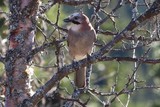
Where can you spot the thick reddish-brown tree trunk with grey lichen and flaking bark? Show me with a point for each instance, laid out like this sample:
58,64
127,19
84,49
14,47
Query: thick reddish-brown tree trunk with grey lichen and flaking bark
22,31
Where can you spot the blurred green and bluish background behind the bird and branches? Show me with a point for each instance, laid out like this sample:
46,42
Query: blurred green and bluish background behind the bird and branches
106,75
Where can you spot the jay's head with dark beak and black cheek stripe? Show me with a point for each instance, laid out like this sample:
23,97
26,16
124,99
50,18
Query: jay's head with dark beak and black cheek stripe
77,18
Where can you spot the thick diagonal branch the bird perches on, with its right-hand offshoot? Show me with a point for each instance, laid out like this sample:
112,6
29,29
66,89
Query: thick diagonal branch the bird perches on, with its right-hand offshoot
67,69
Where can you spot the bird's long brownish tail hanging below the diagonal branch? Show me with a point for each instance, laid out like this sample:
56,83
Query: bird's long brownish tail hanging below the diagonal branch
80,77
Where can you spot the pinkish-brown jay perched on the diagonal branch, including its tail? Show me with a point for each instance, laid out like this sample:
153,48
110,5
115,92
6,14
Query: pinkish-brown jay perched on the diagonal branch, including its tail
81,38
